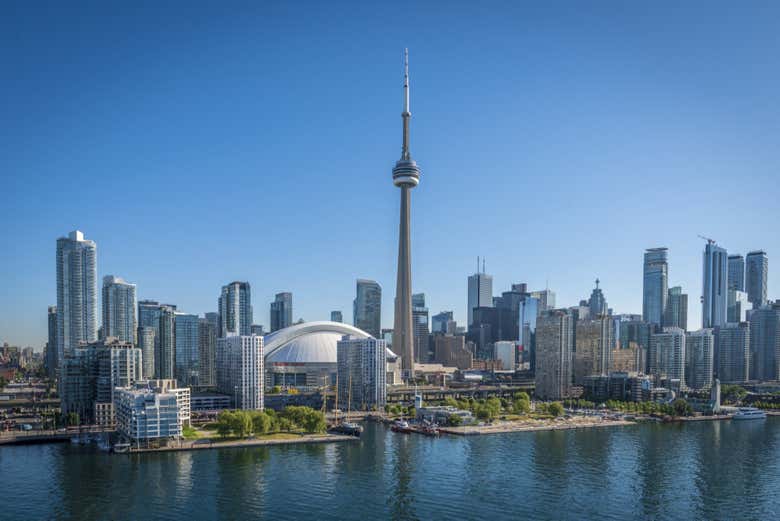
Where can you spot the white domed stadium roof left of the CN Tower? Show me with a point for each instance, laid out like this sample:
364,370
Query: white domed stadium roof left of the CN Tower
310,342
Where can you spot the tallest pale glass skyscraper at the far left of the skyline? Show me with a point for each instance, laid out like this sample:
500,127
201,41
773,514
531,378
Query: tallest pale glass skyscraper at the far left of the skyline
77,313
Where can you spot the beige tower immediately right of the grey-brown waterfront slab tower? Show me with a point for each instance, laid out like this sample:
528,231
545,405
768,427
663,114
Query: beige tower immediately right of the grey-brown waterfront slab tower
593,348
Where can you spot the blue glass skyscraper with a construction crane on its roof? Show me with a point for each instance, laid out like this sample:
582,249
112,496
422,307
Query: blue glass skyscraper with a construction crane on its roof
714,286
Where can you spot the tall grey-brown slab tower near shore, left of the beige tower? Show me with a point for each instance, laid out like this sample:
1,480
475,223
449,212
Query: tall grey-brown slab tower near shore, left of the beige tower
554,345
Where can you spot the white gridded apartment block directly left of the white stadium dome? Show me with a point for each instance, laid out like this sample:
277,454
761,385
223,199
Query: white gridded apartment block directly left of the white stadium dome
240,370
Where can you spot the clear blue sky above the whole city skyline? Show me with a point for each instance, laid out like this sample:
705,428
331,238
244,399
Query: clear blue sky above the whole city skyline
199,144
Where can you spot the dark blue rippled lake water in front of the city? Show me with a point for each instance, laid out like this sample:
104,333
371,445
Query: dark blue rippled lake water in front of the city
704,470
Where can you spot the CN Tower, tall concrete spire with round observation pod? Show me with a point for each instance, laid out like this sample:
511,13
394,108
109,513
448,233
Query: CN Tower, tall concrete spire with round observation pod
406,175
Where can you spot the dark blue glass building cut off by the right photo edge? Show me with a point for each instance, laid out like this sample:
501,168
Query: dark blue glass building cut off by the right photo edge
765,342
